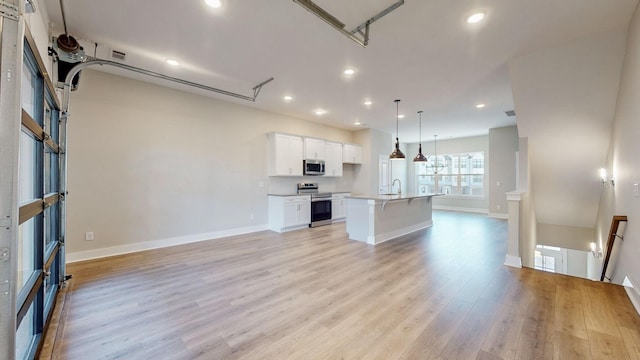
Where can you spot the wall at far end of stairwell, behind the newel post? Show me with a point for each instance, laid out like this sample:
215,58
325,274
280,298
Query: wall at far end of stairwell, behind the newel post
565,99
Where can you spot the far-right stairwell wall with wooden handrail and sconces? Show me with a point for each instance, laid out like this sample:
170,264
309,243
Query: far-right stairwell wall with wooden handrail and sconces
623,162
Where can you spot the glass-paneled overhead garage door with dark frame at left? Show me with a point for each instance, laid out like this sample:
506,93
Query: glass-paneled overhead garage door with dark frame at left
39,197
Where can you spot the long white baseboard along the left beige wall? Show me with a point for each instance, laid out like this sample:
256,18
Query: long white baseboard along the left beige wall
156,244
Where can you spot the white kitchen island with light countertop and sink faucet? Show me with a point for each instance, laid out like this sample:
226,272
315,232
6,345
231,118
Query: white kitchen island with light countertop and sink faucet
377,218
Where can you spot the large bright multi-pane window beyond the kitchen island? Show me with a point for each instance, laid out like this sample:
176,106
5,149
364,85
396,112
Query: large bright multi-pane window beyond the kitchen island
452,174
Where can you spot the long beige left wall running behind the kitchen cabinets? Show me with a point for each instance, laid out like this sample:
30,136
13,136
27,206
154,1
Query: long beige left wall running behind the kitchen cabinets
153,164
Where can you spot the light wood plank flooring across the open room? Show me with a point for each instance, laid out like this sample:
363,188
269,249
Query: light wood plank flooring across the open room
440,293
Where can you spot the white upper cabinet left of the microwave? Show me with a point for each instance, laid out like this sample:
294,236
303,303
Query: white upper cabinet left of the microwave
285,155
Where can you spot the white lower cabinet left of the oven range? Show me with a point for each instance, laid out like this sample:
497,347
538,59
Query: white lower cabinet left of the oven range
289,212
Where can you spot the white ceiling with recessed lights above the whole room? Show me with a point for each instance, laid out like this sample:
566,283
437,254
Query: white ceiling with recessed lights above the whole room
423,53
